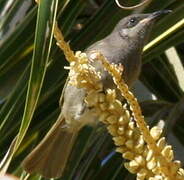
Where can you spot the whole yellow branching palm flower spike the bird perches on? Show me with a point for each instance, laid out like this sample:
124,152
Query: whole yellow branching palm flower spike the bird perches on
149,156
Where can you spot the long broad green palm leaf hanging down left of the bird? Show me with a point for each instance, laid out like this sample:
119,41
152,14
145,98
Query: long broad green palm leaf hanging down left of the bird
43,41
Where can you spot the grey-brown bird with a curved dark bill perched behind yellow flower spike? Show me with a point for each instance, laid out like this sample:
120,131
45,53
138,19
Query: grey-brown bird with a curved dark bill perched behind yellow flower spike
124,45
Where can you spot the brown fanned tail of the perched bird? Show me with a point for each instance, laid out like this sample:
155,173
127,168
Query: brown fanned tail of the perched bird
50,156
